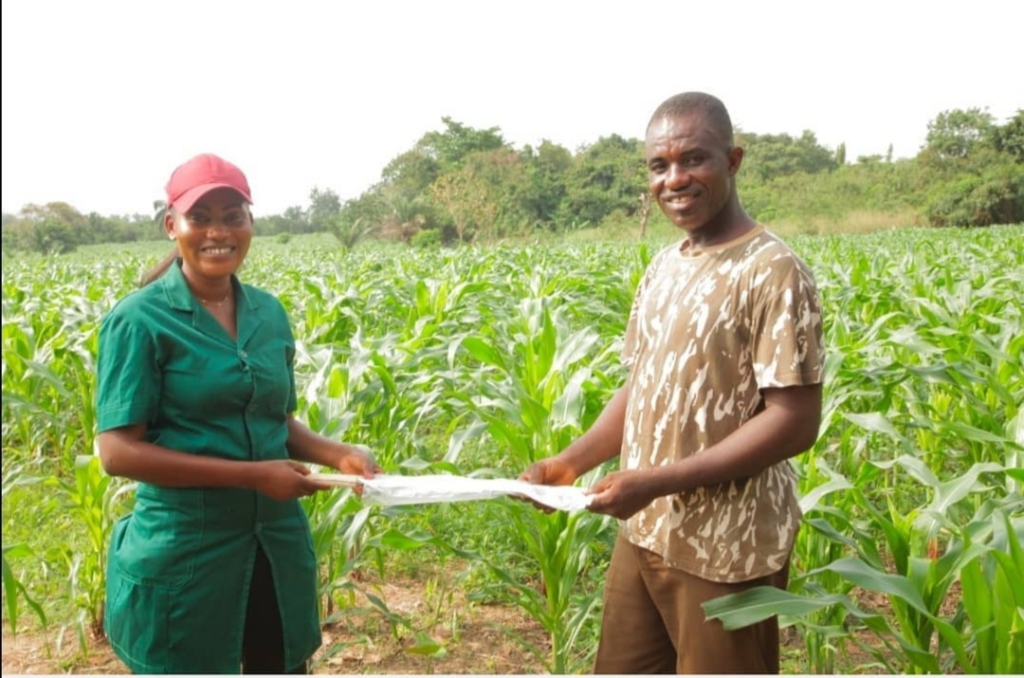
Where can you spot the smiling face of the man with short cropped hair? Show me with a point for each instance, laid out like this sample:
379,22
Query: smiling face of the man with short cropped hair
691,169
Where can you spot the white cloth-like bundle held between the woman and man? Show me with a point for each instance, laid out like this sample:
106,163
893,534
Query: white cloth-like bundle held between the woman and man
386,490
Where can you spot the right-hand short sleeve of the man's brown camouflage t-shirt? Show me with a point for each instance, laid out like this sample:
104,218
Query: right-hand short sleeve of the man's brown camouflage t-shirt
789,344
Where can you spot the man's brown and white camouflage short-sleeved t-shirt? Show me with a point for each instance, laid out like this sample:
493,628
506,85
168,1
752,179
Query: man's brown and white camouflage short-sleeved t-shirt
708,331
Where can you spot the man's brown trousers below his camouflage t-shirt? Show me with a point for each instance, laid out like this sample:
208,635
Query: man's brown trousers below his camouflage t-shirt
654,622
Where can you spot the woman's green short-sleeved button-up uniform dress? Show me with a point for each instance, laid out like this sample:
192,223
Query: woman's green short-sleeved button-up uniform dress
181,564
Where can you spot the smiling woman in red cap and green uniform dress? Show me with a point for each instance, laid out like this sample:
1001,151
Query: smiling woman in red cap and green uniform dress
215,570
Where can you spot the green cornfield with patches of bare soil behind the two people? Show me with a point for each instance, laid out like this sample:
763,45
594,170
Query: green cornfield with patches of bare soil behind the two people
478,362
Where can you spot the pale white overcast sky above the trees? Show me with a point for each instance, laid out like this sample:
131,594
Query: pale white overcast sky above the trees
103,100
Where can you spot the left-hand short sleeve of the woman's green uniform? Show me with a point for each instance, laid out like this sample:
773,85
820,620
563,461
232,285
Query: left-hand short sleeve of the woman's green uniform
129,376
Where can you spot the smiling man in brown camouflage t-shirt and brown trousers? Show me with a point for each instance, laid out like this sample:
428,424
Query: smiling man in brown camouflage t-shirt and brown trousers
724,347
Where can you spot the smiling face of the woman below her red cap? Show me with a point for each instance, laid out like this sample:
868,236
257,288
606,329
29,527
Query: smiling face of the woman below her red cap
214,237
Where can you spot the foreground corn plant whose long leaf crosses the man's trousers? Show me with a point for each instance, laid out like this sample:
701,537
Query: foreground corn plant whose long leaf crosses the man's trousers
920,639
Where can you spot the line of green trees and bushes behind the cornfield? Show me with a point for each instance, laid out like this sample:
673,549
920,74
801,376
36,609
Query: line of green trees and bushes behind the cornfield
466,185
